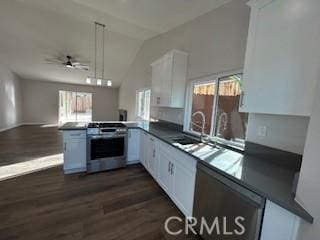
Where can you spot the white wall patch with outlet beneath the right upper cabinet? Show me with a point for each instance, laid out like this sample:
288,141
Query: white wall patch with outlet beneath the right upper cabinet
283,132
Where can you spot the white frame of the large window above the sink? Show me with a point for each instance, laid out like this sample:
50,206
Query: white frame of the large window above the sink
214,78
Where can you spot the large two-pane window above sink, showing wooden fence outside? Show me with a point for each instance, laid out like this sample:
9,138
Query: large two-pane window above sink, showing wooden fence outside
213,109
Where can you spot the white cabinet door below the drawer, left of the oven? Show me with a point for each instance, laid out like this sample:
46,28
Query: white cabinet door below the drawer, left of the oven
75,155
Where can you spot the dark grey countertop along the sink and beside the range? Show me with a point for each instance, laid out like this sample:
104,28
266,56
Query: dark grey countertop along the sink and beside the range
269,180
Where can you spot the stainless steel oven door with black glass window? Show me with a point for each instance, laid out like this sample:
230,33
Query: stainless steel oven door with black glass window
105,152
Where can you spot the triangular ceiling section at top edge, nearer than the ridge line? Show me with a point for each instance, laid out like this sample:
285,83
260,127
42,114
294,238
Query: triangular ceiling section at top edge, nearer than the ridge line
156,15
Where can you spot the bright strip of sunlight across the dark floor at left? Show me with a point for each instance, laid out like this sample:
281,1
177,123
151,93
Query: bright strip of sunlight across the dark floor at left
18,169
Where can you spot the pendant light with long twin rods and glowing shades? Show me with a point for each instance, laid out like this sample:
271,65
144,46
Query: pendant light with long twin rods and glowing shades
96,80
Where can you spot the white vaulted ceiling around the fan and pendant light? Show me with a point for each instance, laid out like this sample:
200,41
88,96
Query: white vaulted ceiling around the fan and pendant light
32,30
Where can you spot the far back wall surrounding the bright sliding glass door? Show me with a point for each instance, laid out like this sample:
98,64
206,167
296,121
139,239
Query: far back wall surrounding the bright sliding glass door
40,101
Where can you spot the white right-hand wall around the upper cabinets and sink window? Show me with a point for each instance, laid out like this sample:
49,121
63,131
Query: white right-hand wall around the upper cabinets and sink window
216,42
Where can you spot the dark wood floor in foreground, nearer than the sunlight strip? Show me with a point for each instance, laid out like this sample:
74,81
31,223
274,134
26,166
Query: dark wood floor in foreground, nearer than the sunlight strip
121,204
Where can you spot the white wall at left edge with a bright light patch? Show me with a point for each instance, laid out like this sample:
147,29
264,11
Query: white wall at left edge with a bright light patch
10,99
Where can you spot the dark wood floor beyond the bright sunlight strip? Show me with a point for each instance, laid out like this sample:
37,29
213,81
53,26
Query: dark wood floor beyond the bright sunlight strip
26,143
